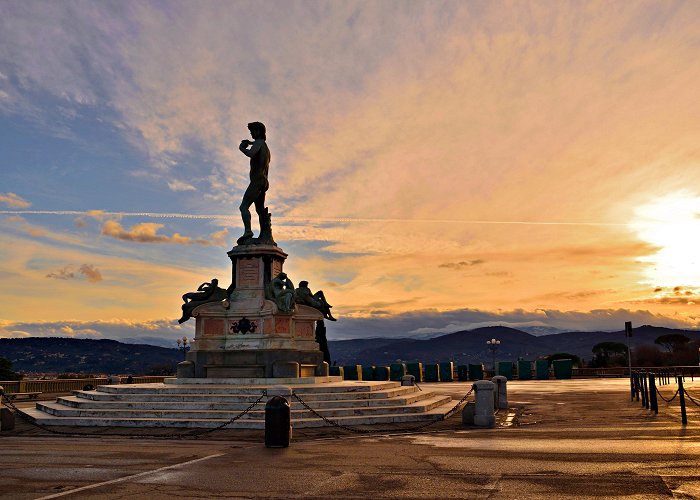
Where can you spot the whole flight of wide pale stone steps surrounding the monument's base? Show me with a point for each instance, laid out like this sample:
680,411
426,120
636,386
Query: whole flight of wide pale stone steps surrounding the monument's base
206,406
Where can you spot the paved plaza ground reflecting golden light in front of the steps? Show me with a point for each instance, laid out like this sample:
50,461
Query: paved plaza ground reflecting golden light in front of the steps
561,439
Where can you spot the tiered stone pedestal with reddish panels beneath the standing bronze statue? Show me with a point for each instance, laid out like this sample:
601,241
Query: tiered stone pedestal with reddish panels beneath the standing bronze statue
247,336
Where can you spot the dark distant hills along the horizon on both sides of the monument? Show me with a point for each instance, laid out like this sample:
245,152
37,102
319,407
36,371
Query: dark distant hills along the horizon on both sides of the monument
68,355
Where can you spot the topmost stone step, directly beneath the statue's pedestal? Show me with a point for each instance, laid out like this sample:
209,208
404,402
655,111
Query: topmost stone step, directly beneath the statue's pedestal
346,386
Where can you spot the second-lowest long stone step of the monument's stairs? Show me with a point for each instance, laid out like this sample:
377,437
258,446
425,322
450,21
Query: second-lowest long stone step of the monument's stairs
258,412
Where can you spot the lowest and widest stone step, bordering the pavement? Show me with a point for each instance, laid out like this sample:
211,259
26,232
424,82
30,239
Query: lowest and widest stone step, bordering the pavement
387,418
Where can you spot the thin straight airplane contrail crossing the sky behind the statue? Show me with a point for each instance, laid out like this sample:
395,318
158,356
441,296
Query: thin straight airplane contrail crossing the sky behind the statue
167,215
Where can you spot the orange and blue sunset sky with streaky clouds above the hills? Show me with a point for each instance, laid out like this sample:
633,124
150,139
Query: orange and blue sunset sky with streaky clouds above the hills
436,166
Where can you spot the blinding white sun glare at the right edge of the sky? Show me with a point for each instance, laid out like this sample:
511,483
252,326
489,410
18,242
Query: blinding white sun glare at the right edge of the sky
672,224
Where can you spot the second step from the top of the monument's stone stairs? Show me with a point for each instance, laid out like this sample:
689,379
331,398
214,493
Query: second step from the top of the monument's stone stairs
236,395
